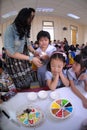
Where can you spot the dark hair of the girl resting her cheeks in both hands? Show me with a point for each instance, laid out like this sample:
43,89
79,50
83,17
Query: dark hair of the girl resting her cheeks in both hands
56,55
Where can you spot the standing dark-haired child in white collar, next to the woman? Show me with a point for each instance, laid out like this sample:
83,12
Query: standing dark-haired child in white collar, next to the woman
45,50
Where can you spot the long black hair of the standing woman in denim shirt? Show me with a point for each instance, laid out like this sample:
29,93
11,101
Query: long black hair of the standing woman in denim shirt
21,22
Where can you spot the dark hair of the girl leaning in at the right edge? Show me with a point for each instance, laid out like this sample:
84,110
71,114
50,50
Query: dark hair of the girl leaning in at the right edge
81,60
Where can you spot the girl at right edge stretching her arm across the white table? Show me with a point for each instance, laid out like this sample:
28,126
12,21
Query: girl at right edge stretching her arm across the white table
78,75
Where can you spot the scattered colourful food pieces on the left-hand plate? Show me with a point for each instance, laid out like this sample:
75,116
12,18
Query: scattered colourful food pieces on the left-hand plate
30,117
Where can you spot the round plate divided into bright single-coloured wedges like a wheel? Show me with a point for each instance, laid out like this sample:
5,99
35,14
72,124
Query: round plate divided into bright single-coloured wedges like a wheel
61,108
